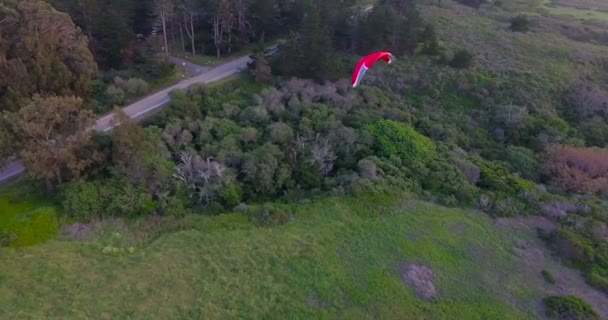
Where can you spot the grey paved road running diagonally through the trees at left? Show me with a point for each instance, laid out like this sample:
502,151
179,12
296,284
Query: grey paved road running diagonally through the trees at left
141,108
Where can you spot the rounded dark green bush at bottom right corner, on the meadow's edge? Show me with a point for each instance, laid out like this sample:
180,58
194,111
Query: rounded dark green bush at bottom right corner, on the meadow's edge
569,308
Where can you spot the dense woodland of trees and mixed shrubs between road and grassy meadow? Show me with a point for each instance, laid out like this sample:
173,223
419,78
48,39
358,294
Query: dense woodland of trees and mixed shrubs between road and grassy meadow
434,124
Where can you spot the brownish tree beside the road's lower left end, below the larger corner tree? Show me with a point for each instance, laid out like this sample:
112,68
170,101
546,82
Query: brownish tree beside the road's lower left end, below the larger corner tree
53,137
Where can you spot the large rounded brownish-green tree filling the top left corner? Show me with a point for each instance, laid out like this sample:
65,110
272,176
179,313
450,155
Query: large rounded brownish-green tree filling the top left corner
41,51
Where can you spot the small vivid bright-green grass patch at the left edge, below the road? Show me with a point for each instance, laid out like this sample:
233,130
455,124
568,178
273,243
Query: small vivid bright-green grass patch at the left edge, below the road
25,217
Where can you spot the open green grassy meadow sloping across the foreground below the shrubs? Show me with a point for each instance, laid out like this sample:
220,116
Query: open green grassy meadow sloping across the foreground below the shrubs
337,252
